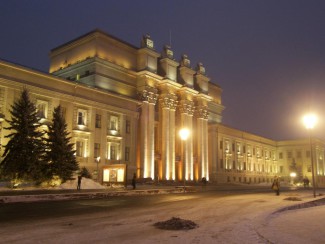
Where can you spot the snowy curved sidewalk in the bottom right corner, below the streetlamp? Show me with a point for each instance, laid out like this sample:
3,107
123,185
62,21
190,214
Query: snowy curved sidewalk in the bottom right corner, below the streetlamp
302,222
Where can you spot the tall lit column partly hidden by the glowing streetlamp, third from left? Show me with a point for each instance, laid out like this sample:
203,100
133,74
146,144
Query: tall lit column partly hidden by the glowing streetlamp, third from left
186,109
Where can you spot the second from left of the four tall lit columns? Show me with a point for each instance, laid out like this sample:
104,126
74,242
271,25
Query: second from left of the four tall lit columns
168,103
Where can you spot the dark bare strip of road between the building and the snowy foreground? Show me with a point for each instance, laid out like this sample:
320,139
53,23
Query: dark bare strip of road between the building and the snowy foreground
51,209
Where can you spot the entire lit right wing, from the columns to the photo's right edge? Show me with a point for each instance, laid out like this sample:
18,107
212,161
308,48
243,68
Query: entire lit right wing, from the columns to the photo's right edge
237,156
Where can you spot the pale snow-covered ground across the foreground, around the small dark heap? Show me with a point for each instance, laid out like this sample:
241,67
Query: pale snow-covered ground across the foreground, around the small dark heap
252,218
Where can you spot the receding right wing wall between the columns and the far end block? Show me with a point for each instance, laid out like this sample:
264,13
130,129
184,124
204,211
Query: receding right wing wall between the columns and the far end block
237,156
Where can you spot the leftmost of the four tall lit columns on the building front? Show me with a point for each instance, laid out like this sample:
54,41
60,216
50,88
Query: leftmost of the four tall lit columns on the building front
147,153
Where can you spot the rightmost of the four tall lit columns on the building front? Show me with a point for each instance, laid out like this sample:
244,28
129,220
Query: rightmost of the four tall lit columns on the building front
202,139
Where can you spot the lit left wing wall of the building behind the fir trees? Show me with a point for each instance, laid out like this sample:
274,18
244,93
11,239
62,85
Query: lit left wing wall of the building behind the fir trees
76,98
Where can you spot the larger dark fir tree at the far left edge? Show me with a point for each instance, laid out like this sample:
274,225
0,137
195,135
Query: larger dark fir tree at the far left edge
24,153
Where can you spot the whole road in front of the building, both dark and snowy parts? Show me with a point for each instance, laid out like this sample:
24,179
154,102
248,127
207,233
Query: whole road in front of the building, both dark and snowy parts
228,216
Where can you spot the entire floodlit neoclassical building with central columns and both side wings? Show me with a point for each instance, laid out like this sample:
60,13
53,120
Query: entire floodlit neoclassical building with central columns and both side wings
125,105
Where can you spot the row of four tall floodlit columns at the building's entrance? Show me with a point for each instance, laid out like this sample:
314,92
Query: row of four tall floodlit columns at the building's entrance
169,124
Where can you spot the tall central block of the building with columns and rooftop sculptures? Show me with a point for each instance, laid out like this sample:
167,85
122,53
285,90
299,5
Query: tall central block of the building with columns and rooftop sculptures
172,96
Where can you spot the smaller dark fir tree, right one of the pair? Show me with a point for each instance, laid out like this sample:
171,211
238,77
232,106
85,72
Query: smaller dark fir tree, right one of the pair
60,151
